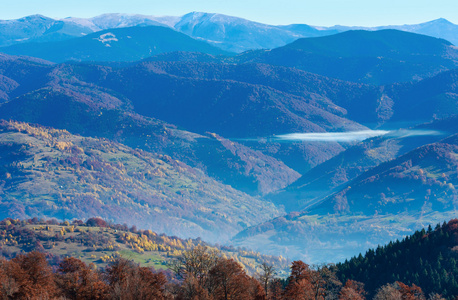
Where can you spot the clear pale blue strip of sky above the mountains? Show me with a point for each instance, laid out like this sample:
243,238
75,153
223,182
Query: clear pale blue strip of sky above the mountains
313,12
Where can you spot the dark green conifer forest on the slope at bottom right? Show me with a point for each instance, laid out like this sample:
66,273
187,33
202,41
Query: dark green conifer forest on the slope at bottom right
428,258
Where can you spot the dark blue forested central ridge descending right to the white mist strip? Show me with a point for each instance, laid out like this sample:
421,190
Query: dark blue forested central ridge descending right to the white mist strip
213,97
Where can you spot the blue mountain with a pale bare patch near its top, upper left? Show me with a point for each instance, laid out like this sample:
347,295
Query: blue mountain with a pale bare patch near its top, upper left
118,44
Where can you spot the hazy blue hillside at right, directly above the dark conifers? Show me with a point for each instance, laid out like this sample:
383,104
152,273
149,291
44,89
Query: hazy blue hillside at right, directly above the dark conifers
386,202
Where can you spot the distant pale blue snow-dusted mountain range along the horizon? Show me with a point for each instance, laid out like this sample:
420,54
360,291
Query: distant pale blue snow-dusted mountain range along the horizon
229,33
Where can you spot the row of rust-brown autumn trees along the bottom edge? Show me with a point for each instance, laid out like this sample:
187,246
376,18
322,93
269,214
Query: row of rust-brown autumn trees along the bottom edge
198,274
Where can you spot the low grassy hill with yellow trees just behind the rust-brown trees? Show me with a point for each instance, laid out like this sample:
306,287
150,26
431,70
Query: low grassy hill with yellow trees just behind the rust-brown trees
101,239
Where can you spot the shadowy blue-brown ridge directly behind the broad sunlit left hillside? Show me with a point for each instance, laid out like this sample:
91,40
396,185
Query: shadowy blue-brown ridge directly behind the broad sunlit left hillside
68,103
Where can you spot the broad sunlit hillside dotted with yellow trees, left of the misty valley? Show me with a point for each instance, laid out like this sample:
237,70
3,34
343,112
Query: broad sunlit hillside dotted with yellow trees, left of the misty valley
51,173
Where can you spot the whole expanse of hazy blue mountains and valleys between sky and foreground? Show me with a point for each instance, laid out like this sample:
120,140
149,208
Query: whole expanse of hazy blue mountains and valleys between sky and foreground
159,118
